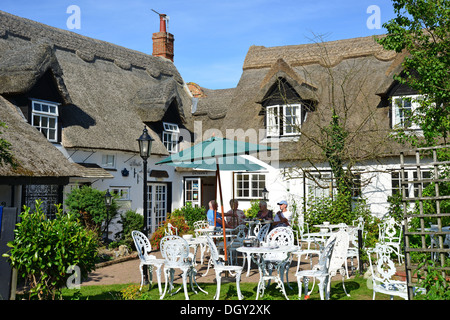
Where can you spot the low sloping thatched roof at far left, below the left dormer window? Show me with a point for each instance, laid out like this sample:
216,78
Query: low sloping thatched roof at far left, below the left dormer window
35,155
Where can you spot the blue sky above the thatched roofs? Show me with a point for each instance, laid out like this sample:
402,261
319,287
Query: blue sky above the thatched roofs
212,37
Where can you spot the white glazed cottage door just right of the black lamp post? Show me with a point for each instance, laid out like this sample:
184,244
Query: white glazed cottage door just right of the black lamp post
157,205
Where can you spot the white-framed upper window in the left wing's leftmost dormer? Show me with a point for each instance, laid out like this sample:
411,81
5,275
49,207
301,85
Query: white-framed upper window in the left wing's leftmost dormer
41,109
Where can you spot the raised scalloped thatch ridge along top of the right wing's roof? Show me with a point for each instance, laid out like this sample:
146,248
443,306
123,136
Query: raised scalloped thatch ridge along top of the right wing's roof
311,53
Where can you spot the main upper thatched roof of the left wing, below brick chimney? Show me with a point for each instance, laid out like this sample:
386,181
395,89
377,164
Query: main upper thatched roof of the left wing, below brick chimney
109,92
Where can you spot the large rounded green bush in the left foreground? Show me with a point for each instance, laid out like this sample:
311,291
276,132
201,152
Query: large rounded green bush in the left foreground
43,250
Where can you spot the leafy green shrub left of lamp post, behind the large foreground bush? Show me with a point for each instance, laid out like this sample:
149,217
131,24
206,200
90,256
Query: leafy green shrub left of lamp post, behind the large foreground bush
89,203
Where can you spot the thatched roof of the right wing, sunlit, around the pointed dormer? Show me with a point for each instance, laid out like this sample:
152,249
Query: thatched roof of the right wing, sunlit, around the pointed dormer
310,70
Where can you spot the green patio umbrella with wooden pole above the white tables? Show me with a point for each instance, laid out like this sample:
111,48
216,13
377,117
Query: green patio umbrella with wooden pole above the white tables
217,154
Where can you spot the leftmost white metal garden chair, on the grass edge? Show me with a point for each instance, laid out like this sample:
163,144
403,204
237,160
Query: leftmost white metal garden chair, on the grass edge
144,248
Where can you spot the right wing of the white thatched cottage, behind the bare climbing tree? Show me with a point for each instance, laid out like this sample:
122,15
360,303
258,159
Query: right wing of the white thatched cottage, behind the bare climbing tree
285,97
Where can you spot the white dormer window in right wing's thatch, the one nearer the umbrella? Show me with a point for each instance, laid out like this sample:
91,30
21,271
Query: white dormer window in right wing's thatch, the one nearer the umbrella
283,120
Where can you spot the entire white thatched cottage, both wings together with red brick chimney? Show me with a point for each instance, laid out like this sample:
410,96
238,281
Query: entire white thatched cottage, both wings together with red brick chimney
75,106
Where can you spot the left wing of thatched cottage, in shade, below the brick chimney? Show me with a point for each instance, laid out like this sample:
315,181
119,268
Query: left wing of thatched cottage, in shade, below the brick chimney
90,100
